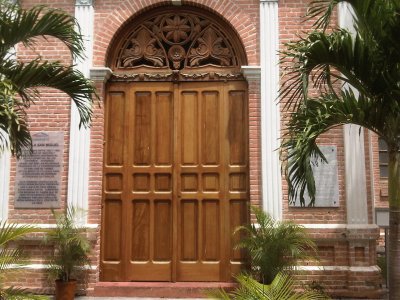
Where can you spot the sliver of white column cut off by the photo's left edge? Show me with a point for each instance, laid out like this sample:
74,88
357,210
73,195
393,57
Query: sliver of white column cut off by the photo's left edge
4,183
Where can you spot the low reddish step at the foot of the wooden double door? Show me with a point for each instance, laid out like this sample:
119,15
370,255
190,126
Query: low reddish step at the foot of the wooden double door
158,289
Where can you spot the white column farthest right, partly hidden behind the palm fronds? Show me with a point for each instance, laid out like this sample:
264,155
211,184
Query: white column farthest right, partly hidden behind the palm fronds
356,186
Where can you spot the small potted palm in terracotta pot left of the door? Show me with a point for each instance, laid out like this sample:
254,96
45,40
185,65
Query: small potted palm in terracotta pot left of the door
71,253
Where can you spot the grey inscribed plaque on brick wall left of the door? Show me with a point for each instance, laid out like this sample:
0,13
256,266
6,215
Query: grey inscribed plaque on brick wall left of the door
38,178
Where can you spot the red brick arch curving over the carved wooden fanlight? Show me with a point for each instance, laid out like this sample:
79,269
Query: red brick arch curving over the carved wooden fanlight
123,13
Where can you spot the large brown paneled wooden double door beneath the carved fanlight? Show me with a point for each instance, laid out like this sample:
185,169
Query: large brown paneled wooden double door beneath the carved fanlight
175,180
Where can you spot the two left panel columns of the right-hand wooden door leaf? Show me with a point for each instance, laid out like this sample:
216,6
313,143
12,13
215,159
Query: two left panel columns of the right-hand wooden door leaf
200,167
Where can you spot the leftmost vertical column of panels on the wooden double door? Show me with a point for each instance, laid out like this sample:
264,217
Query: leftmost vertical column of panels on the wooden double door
113,205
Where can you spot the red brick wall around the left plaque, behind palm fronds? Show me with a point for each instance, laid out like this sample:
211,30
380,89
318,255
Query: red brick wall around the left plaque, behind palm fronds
51,113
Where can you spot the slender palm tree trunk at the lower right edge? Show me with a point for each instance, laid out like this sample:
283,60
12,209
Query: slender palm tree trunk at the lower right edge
394,225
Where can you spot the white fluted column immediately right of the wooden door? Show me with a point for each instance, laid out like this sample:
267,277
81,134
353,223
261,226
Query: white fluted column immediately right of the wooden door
270,109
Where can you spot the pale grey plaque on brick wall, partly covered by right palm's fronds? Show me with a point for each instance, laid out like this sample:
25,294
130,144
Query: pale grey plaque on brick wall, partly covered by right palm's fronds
326,180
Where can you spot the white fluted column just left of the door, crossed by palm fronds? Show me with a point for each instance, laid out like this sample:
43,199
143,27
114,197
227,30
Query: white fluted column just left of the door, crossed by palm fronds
78,174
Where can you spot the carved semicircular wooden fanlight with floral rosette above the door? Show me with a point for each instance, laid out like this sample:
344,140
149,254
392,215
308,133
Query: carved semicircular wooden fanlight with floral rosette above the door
175,42
